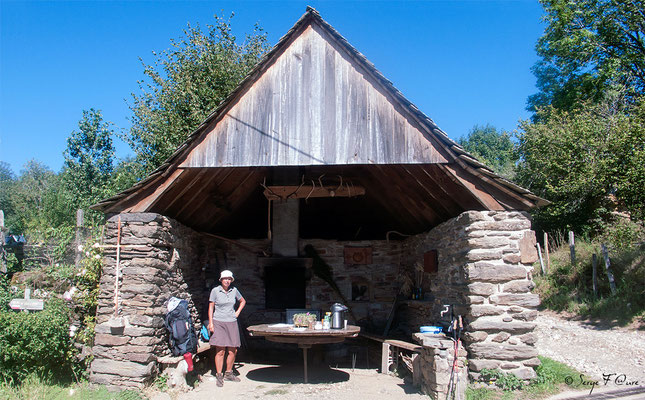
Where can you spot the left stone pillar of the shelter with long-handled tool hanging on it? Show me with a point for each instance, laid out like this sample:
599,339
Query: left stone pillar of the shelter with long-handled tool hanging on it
157,260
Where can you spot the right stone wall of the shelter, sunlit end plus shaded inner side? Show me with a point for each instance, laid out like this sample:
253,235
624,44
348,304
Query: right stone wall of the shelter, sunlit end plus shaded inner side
485,271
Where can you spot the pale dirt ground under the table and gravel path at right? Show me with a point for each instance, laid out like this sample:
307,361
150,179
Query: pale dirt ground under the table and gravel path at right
593,349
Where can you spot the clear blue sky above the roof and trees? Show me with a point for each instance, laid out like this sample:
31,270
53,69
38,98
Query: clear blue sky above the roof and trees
461,62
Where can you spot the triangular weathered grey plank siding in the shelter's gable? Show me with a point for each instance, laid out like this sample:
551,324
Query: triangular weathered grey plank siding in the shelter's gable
314,106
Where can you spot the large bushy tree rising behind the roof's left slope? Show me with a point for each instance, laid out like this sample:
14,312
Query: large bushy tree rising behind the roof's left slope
185,84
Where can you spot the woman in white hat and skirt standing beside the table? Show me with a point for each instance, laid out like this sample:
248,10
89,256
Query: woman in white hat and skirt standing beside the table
222,323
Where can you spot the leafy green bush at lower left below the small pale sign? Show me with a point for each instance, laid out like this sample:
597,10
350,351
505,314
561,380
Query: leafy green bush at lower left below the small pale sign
37,343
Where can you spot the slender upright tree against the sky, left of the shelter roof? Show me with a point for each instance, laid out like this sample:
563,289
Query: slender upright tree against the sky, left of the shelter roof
88,164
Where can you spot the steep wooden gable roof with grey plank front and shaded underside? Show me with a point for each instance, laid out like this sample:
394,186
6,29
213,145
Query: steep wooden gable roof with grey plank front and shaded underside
317,105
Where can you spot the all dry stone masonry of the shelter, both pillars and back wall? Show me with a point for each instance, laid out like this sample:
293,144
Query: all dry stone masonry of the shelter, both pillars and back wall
484,271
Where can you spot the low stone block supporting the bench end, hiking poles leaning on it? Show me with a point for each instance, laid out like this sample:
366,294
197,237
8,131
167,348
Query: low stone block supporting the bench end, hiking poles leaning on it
437,360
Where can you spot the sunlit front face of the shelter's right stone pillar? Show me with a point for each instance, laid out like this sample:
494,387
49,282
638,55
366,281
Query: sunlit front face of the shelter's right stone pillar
501,306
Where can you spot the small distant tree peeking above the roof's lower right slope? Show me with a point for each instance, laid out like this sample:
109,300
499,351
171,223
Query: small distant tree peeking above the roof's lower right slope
492,147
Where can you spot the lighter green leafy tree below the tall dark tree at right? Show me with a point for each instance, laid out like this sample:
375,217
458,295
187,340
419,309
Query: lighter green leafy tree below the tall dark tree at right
588,163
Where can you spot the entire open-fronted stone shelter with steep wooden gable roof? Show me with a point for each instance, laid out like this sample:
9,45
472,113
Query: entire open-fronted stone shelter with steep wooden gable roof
316,152
